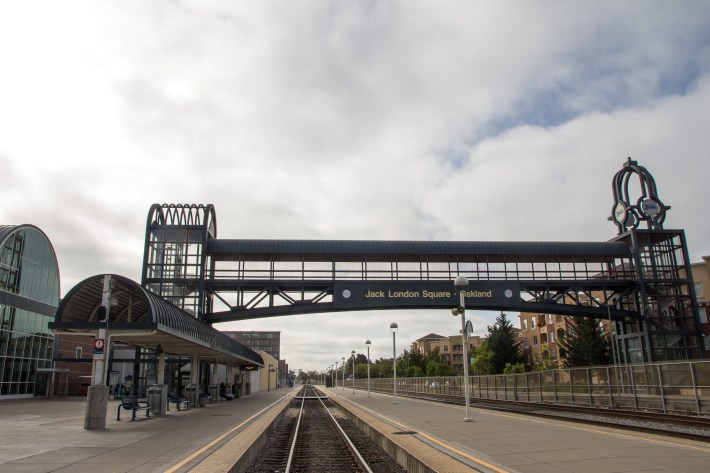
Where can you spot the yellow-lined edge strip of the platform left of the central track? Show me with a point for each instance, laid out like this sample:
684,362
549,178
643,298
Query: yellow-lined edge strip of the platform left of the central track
226,456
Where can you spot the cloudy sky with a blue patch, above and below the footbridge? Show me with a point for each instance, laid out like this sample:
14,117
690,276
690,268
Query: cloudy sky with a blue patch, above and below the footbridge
375,120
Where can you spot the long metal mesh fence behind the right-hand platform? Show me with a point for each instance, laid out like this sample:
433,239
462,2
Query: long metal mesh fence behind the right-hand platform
673,388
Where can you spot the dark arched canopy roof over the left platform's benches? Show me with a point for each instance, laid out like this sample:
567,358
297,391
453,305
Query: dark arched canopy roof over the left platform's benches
140,318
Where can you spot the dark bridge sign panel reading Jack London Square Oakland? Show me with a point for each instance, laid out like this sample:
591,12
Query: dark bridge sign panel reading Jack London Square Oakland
421,293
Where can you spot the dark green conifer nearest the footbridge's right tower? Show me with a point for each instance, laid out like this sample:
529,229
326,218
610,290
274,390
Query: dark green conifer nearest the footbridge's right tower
587,344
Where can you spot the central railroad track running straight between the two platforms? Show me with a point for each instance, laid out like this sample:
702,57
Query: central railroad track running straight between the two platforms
310,438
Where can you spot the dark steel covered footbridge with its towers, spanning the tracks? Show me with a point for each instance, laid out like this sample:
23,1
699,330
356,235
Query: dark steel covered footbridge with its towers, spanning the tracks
640,279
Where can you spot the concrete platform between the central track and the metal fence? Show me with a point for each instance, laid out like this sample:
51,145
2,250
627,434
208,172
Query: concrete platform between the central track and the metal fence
497,441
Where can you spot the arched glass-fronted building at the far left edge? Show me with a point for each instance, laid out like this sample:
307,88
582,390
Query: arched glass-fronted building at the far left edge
29,297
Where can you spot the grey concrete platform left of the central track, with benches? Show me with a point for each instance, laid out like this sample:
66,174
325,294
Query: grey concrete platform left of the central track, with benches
47,435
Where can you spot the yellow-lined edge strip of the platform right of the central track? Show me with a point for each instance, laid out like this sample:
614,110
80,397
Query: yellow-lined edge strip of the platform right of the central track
417,445
